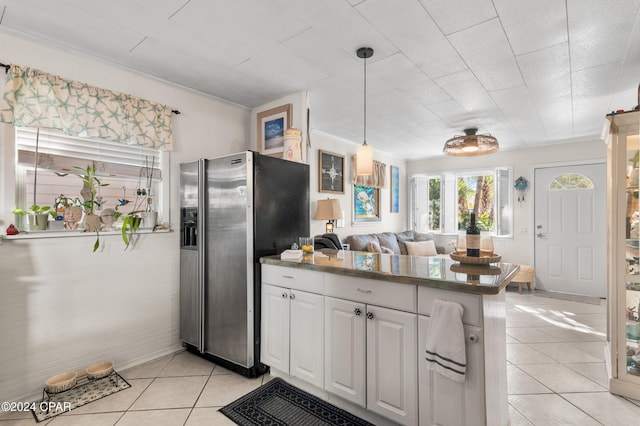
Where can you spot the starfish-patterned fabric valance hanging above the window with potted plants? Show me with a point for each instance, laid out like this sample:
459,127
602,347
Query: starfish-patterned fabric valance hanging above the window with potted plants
33,98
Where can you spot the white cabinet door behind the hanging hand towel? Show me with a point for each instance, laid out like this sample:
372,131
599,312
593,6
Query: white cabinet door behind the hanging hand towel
444,401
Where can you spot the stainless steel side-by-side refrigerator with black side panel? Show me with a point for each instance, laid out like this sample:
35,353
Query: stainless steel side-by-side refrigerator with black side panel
234,209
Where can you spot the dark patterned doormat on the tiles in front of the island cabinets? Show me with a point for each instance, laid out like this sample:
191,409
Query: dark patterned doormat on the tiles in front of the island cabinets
279,403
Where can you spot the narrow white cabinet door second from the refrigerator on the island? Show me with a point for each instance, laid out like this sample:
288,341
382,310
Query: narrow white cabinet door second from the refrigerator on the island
307,337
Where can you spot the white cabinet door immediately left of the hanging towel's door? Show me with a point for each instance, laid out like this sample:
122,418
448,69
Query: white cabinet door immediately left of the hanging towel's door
392,385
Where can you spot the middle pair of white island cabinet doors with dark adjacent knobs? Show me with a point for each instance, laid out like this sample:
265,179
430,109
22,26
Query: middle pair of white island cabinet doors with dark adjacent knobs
371,358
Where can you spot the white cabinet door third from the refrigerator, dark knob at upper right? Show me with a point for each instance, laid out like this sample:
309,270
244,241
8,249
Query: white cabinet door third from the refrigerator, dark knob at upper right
345,349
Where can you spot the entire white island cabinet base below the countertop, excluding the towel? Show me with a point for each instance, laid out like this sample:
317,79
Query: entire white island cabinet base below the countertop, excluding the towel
363,340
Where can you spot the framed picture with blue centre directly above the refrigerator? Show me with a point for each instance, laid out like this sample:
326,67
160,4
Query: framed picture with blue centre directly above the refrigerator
271,126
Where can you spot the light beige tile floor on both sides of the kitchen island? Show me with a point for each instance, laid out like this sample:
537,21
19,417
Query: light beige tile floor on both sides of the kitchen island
555,366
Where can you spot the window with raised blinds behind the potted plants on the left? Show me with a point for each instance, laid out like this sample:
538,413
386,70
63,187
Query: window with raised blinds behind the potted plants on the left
123,167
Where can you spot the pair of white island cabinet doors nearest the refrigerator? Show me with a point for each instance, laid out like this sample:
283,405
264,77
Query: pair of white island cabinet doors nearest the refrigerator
292,333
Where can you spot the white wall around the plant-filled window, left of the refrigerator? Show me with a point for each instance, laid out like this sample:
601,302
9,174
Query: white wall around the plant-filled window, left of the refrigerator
63,307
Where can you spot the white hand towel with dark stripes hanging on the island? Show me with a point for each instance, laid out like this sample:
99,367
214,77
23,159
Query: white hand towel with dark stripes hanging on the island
445,343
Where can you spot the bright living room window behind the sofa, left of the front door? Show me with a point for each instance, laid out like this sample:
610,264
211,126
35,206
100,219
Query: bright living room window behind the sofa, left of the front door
441,203
